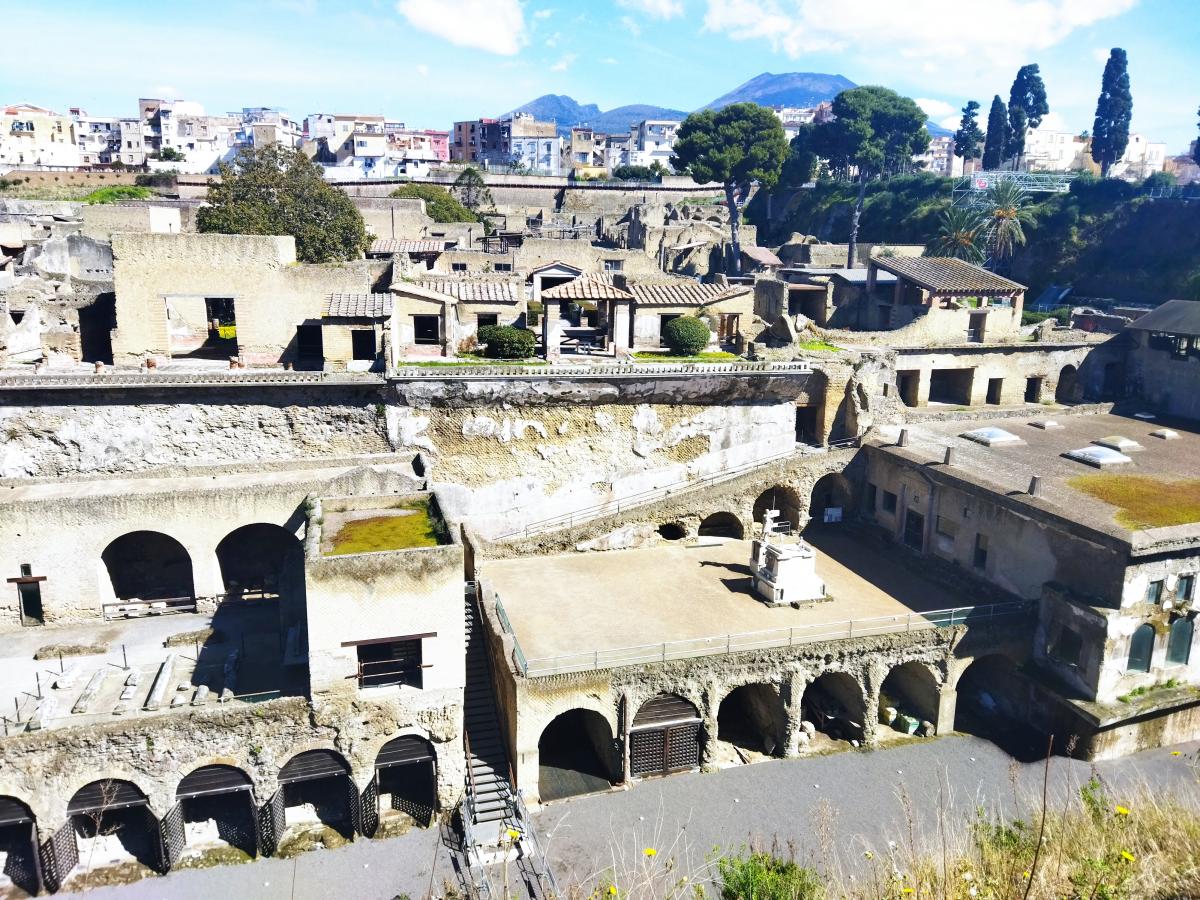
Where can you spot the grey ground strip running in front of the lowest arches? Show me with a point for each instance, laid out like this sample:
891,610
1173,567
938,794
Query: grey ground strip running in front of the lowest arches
851,799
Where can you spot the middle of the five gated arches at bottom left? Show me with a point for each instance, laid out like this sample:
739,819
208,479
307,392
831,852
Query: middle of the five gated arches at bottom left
218,807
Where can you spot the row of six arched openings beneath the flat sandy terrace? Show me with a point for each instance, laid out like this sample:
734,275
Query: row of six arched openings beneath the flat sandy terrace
579,752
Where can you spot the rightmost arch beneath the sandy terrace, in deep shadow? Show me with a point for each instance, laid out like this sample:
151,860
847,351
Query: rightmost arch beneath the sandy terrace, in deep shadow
989,705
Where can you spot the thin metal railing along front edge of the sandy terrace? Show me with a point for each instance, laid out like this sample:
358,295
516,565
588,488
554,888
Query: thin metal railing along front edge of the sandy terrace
775,639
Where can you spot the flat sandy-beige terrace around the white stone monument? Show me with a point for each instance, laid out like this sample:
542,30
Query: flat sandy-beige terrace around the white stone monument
581,611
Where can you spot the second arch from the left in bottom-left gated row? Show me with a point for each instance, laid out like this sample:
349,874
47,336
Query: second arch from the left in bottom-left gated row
112,821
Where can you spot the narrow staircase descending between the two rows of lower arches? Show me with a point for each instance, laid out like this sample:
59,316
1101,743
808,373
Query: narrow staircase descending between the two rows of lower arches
493,820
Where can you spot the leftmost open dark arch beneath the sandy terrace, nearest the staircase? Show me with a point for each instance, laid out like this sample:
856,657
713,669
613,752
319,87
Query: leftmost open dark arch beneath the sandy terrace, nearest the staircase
575,755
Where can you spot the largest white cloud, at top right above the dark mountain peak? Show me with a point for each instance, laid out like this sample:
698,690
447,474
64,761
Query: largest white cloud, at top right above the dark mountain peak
998,33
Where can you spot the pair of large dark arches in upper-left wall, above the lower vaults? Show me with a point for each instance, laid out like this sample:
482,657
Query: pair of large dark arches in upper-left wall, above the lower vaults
152,566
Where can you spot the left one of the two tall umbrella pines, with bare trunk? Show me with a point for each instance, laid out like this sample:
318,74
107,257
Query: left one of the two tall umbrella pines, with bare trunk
736,146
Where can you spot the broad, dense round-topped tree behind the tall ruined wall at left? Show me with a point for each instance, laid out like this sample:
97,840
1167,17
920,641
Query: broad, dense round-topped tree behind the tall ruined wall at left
277,190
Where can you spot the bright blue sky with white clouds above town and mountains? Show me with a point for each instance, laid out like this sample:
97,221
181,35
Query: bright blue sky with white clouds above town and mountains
429,63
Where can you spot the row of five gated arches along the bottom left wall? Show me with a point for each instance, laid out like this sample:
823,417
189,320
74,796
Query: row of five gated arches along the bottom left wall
215,806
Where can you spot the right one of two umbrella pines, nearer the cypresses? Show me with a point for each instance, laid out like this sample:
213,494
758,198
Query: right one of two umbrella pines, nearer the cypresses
877,133
